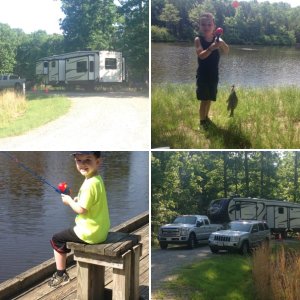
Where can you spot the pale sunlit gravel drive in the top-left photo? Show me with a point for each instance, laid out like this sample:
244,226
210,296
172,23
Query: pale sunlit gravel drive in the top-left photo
106,121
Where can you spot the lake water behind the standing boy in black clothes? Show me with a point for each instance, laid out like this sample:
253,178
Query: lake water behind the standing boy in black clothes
253,66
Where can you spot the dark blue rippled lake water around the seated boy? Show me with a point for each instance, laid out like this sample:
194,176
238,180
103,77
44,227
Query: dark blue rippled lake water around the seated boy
31,211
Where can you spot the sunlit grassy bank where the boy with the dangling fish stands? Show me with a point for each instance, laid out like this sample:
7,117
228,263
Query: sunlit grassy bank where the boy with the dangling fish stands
265,118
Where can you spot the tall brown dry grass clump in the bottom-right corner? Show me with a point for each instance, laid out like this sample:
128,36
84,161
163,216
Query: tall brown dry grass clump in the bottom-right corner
276,275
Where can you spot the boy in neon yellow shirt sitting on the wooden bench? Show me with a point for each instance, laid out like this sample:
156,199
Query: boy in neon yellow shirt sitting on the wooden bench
92,221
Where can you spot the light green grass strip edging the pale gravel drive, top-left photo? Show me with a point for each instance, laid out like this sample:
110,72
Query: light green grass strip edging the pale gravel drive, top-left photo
40,109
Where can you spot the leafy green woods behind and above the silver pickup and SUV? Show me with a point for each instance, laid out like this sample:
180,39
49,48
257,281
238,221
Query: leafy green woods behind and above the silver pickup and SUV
186,182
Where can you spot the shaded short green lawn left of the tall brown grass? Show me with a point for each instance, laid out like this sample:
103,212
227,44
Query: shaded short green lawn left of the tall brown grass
225,277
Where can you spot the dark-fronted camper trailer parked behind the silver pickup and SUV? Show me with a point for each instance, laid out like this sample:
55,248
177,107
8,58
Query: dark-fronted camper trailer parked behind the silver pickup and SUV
281,216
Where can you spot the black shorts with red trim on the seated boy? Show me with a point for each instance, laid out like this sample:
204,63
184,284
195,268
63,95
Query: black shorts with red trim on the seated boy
59,240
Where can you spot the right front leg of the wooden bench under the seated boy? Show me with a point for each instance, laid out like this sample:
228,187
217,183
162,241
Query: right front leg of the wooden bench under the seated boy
121,279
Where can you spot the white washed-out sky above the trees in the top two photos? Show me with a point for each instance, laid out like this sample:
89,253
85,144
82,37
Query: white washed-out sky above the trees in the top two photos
32,15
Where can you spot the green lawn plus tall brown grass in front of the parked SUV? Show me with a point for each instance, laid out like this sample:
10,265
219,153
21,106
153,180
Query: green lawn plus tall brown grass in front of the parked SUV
269,272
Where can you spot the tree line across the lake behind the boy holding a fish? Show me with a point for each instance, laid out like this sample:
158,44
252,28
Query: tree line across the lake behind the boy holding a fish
244,22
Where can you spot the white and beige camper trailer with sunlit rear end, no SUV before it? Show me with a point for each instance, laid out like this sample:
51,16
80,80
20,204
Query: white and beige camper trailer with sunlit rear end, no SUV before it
84,68
